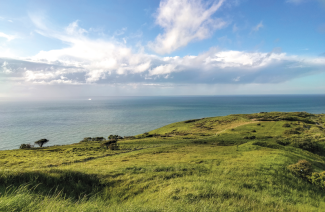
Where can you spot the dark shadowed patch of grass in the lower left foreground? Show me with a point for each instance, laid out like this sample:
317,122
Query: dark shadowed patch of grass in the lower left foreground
70,184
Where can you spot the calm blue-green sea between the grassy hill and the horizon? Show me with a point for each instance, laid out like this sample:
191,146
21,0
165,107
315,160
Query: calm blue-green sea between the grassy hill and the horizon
69,121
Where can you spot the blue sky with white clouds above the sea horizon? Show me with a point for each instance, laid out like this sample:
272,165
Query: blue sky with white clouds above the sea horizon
64,49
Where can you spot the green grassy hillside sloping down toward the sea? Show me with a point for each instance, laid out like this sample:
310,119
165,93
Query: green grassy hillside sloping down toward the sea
232,163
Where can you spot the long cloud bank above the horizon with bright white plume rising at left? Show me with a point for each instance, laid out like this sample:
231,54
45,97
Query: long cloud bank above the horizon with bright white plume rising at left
94,61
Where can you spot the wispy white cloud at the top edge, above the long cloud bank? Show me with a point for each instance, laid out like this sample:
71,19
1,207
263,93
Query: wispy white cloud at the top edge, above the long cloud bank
184,21
